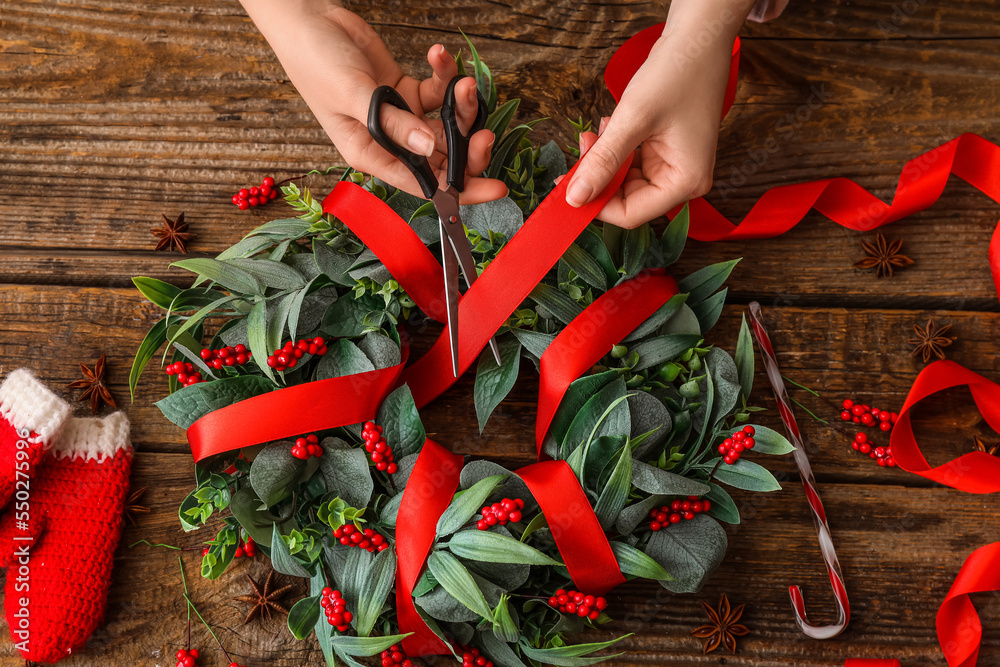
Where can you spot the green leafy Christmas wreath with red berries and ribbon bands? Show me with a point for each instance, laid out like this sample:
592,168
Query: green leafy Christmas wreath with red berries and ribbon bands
303,418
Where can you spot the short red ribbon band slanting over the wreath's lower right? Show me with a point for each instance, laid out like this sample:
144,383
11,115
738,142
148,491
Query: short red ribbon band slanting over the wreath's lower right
578,534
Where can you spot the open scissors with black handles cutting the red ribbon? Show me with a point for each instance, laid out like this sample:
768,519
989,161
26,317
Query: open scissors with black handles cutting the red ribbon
456,252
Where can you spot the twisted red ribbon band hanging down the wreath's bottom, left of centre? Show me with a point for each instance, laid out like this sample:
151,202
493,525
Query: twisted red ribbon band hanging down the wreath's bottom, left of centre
429,490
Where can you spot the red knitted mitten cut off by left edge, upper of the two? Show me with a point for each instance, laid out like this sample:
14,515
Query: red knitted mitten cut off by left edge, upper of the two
31,417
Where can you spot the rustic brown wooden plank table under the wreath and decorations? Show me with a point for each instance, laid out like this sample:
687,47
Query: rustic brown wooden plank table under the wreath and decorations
115,112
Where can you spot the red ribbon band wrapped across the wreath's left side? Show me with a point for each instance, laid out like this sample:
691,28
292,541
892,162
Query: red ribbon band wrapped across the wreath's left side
303,408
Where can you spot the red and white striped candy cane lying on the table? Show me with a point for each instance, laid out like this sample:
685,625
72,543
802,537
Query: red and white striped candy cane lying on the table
809,483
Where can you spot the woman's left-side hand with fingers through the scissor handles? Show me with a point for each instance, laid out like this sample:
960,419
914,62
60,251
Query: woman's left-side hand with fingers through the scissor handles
336,61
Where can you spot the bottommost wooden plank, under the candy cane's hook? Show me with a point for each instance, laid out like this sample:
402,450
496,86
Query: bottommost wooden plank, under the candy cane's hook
900,549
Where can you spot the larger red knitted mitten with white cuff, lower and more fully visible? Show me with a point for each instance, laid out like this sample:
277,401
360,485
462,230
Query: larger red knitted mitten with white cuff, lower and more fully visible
57,585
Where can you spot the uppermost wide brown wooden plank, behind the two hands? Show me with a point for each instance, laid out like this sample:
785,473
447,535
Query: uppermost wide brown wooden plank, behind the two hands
166,125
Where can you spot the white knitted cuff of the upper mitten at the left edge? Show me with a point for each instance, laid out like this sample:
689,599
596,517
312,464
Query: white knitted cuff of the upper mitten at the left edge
27,403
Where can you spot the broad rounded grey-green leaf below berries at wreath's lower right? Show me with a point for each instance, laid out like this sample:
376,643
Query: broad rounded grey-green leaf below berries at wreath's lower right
690,550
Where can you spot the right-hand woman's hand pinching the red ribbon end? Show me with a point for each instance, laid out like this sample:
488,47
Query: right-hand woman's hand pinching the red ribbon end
668,116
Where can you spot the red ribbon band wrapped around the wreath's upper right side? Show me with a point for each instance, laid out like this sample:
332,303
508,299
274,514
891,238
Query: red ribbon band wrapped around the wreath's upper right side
590,336
